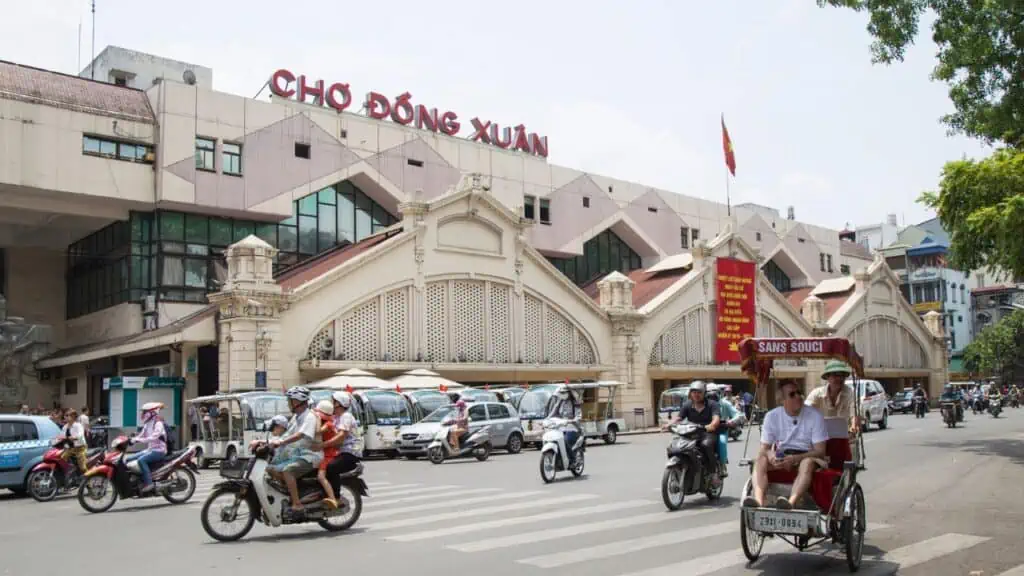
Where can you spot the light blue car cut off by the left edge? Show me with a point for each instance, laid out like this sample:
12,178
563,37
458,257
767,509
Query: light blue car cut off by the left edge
24,440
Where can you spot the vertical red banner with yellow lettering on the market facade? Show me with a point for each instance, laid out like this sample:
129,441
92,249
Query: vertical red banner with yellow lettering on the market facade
736,318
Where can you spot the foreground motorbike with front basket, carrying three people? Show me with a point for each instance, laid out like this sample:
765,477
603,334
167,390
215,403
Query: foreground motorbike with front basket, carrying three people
252,492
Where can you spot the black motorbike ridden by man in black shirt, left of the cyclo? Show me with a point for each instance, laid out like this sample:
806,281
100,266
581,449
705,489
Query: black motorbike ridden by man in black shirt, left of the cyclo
688,471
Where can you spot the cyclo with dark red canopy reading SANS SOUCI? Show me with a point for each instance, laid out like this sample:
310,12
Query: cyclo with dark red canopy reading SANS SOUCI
834,509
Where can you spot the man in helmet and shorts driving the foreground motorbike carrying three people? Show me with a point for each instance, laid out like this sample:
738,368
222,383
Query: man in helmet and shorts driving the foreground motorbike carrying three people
295,457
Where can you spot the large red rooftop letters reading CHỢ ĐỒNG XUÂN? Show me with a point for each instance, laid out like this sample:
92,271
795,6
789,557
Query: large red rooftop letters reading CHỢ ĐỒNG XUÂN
401,110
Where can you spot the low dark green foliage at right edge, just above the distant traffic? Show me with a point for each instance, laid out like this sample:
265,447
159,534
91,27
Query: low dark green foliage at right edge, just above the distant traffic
999,350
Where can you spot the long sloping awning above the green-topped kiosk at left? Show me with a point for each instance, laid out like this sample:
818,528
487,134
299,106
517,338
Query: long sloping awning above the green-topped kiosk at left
197,327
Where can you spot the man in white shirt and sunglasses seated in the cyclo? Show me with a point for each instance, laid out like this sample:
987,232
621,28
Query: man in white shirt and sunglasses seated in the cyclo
793,437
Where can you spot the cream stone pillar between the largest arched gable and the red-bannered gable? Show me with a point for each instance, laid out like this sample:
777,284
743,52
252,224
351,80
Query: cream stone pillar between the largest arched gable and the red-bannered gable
617,301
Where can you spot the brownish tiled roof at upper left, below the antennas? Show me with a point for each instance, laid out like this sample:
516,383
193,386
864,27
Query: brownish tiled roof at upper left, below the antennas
34,86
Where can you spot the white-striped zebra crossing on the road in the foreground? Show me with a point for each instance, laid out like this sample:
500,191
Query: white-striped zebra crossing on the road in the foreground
699,541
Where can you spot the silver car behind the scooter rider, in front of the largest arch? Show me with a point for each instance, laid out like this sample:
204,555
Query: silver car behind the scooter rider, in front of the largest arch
506,431
